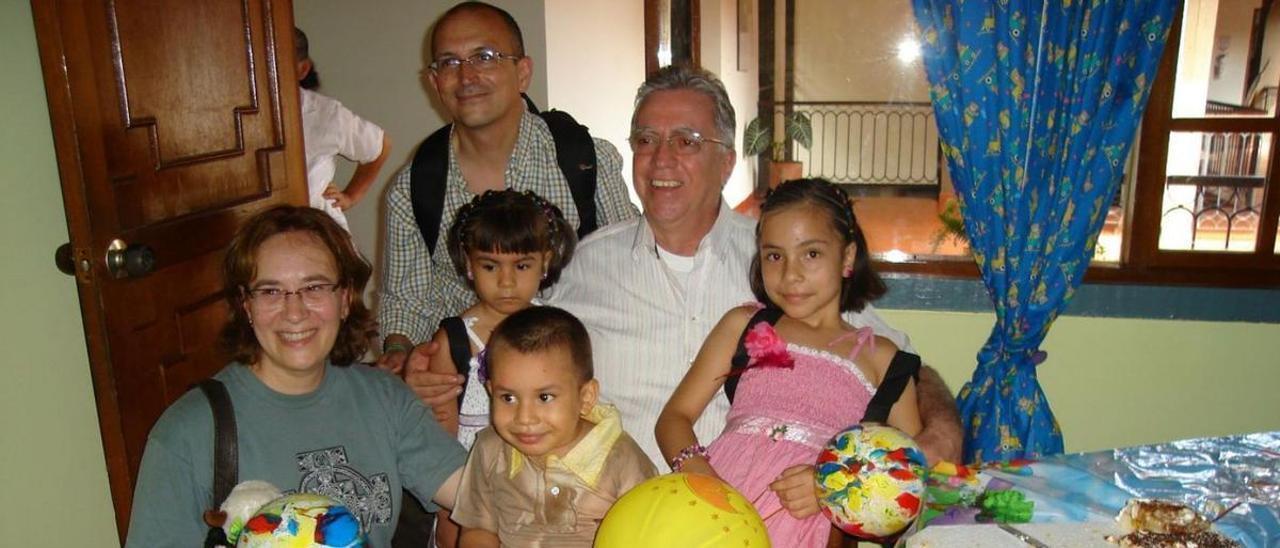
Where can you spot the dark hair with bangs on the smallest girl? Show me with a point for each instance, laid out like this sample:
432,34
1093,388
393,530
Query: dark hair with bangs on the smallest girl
513,222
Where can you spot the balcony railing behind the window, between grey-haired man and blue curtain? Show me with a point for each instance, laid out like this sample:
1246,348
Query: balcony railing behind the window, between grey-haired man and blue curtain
871,144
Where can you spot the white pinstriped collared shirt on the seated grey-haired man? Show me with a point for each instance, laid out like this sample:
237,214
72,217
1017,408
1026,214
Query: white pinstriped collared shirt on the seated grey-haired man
647,330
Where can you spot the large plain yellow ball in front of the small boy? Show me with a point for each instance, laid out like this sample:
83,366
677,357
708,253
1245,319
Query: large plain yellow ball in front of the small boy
683,510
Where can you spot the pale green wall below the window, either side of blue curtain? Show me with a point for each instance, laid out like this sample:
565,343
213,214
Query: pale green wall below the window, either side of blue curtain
1123,382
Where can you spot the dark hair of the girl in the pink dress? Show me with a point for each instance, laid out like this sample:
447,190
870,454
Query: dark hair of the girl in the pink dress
858,290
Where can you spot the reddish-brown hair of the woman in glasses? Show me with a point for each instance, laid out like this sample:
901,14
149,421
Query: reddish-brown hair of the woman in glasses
240,268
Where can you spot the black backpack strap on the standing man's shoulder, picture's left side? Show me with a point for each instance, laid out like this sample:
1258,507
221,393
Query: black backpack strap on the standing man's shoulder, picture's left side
428,181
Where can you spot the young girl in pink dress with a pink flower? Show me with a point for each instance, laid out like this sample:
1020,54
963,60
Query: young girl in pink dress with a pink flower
808,375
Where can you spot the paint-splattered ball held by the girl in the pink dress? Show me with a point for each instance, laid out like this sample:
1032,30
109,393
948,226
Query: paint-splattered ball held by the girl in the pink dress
871,479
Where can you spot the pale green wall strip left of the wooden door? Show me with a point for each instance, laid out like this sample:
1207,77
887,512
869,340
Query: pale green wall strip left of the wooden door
52,462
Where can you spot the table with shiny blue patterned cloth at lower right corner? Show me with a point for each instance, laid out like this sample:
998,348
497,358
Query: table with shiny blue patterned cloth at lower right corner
1078,496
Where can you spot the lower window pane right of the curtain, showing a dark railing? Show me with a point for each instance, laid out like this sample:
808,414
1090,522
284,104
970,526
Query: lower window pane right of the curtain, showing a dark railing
1215,186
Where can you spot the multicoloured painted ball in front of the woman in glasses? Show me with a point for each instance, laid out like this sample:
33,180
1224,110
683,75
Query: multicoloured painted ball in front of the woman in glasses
303,520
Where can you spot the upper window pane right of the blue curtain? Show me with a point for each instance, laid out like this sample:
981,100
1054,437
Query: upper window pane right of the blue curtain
1228,63
